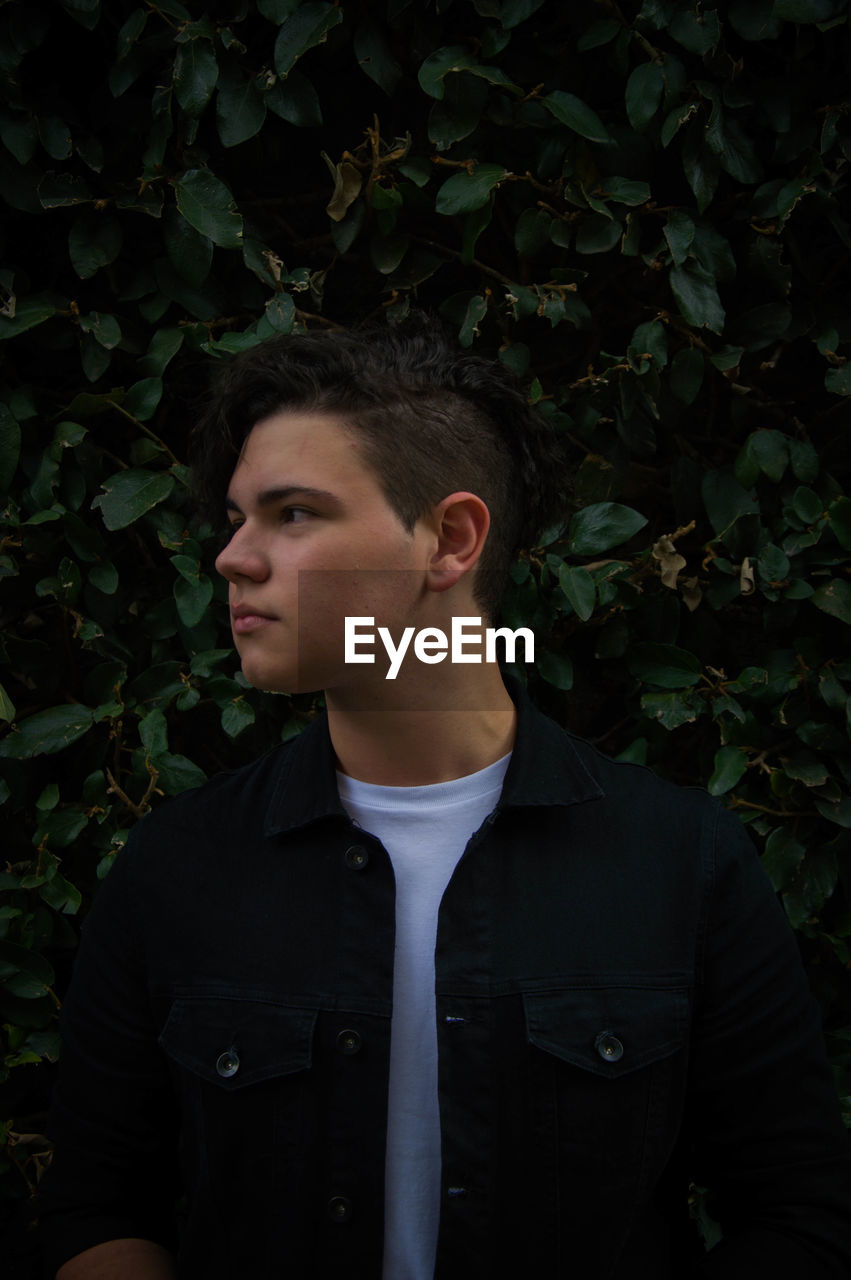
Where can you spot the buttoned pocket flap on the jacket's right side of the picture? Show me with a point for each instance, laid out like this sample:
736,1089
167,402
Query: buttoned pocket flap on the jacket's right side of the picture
608,1031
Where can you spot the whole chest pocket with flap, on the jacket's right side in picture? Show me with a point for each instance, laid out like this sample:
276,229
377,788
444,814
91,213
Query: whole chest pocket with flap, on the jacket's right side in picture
608,1075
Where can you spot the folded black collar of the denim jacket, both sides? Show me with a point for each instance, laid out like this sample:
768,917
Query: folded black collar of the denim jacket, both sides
546,770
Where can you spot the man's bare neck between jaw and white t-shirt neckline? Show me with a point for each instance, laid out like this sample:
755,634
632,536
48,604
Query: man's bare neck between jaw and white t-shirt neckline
431,733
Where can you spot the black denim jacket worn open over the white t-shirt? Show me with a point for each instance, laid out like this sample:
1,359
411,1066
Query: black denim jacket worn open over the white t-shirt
620,1009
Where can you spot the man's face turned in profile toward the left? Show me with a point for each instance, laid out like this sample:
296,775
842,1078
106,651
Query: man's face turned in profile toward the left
315,541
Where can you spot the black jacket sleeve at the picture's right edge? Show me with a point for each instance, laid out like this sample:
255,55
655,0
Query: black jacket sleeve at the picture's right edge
768,1139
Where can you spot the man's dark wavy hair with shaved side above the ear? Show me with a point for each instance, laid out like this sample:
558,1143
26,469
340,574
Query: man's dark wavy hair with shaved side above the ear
432,419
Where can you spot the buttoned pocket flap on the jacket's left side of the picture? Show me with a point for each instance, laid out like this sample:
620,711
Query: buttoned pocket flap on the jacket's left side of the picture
239,1043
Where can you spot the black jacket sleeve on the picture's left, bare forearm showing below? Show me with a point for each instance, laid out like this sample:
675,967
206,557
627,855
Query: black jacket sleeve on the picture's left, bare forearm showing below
112,1118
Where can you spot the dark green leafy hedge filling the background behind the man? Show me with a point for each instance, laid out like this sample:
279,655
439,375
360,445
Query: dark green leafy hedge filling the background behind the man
643,209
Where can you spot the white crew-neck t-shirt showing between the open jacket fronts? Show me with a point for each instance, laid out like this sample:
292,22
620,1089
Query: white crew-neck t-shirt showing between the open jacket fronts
425,831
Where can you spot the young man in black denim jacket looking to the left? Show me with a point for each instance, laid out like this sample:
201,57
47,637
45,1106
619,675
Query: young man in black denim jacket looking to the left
434,989
